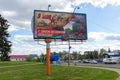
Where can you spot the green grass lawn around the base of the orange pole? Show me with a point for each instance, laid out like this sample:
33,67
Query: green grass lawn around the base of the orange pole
35,71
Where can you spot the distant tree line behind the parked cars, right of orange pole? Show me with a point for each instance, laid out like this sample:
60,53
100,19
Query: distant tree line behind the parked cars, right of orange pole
79,56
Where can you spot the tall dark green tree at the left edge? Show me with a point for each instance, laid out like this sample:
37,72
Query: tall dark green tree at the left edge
5,45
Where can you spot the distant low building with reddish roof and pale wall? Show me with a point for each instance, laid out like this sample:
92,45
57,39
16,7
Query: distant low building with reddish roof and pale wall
18,57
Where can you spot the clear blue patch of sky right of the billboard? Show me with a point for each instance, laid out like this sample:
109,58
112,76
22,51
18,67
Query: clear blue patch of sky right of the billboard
102,19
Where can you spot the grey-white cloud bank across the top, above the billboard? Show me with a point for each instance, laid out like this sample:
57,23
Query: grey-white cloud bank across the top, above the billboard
18,12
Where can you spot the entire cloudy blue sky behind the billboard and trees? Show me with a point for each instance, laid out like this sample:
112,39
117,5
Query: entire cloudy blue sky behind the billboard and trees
103,24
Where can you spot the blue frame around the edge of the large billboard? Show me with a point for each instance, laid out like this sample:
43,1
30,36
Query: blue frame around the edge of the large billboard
61,38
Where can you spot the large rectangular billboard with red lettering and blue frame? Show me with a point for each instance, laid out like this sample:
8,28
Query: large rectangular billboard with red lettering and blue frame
59,25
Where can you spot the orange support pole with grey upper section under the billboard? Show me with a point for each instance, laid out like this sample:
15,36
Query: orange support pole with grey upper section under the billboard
48,56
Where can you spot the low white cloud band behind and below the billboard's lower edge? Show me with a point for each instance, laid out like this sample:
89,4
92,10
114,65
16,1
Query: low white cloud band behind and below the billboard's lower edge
25,44
